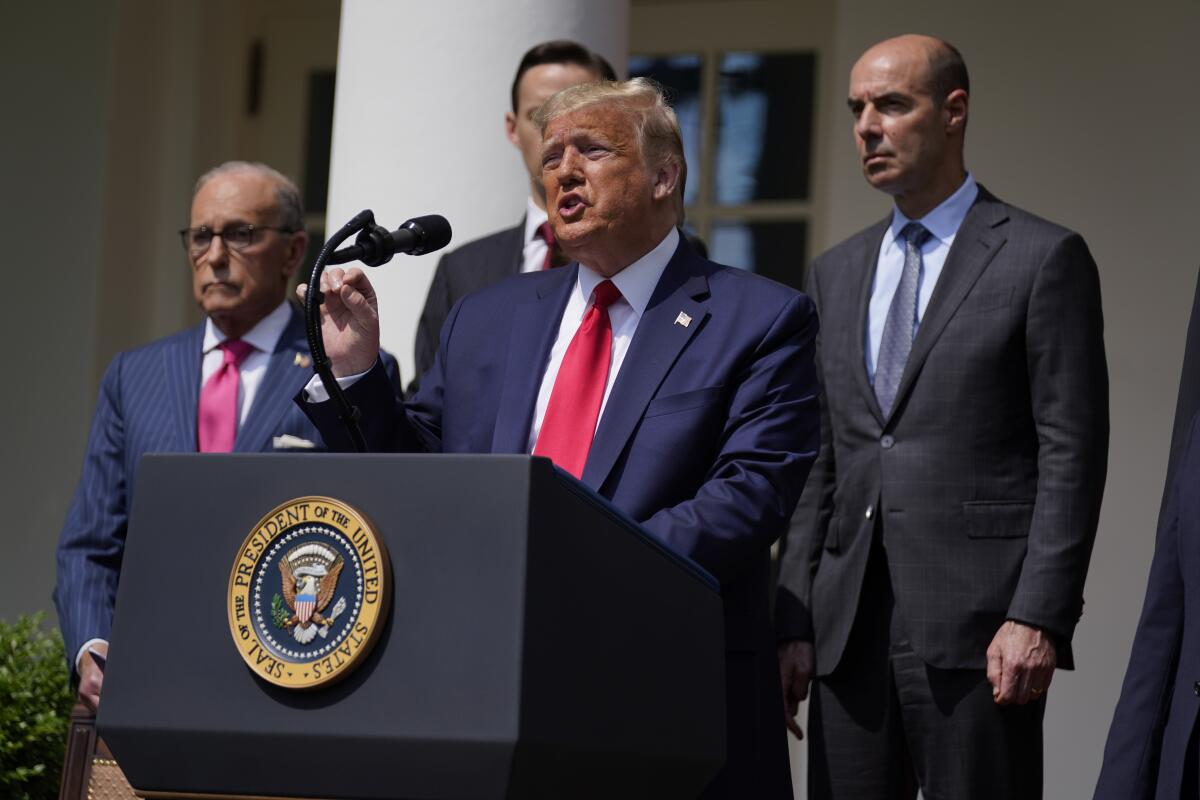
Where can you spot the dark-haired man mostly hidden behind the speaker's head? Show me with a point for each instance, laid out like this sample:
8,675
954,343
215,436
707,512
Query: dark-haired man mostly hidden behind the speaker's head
530,245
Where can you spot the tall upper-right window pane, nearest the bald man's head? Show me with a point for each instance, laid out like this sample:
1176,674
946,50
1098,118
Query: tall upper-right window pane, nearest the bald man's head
764,128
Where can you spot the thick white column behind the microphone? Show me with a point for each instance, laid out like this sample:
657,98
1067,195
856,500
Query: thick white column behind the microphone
419,122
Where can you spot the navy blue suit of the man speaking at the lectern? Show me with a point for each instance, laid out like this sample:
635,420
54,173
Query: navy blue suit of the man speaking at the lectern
706,440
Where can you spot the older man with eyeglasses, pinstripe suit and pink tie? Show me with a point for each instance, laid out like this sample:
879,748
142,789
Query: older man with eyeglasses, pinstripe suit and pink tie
225,386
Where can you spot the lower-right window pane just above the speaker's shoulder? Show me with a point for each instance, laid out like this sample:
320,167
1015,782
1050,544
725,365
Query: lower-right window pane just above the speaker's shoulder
776,250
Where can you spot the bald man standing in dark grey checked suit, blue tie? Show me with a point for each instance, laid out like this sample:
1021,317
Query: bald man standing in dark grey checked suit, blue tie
934,573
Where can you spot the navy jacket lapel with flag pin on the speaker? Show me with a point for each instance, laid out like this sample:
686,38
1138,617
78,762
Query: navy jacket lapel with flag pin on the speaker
657,345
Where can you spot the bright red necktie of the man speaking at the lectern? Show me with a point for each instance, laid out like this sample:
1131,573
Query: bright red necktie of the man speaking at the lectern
574,408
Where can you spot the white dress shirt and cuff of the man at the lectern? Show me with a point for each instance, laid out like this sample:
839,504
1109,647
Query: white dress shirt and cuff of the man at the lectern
637,284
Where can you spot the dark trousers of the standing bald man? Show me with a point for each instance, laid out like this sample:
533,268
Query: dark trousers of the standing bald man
886,724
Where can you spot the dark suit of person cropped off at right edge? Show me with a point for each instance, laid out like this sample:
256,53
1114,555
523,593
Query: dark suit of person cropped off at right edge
1157,712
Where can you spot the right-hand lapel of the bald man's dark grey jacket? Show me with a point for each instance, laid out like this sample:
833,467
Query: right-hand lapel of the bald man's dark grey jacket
977,243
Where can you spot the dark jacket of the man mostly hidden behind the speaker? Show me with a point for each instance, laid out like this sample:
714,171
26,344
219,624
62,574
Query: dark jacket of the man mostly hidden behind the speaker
471,268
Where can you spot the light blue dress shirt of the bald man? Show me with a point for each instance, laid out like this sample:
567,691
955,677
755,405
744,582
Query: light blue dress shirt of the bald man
943,224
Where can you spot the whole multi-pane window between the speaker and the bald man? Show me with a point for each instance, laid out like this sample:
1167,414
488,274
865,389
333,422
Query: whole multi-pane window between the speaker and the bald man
747,121
